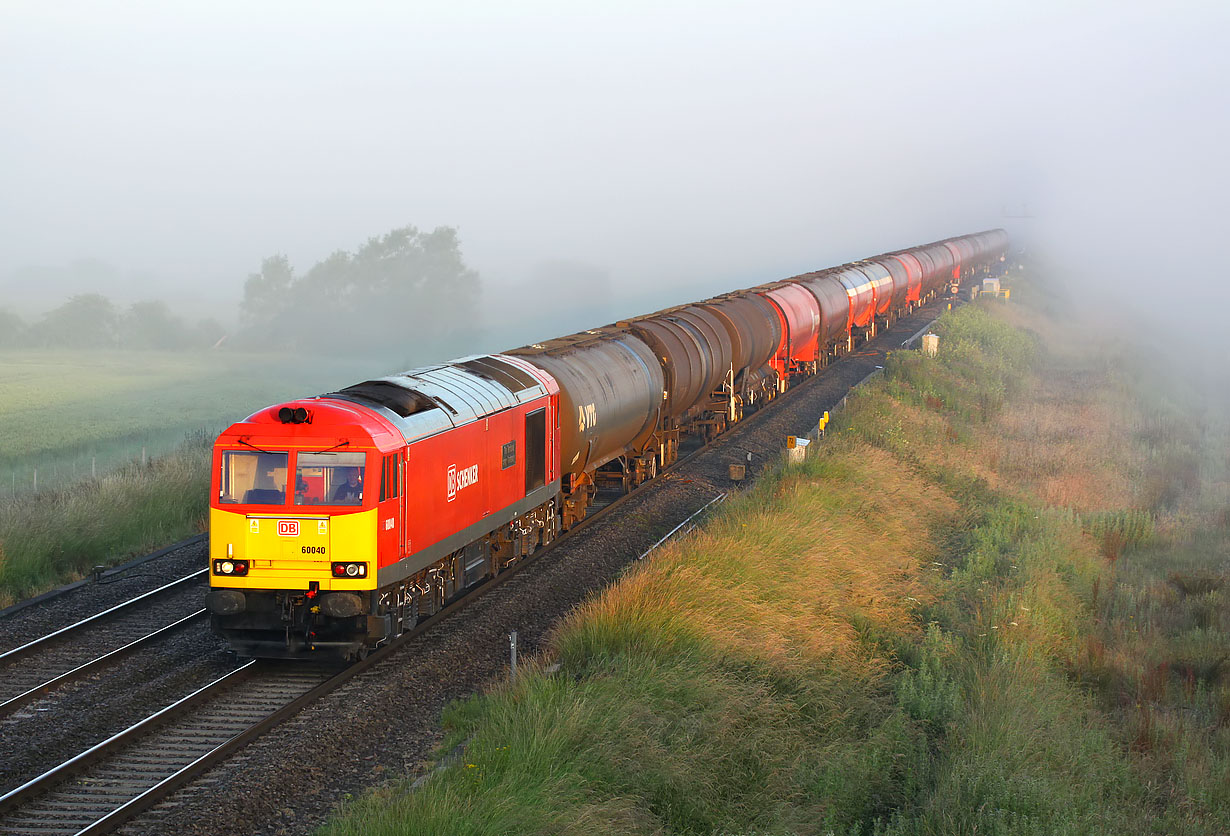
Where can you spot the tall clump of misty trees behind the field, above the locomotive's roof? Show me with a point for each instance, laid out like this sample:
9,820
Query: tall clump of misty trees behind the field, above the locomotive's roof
405,288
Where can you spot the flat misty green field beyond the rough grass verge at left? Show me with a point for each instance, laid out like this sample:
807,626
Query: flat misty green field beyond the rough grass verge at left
71,414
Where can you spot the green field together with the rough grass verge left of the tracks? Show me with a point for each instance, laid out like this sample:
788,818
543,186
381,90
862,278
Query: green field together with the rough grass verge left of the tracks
62,410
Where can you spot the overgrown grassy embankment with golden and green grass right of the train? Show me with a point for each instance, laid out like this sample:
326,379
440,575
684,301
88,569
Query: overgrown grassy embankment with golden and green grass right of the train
992,604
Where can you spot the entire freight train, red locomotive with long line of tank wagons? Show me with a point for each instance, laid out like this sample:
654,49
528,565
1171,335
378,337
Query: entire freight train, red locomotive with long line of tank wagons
343,521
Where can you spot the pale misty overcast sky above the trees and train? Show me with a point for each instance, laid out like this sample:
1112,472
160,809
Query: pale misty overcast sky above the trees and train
672,146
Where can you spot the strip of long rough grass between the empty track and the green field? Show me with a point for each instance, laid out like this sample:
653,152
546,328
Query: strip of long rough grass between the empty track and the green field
56,537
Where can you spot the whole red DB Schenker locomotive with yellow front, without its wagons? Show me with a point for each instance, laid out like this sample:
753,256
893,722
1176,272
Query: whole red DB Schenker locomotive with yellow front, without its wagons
341,521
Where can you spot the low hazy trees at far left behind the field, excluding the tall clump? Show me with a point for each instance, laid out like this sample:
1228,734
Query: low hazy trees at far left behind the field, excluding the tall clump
94,321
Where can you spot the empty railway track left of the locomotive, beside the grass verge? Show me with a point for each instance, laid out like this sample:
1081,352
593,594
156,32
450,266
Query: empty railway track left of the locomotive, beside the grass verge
71,653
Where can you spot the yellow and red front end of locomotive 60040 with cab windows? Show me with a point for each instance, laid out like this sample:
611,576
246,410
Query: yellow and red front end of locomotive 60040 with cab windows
293,534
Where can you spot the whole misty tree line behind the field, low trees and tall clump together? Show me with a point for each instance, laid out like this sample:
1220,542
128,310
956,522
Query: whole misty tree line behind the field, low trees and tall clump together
405,291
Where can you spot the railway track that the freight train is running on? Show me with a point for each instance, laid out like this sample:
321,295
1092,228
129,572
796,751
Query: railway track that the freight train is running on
101,789
